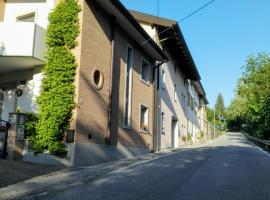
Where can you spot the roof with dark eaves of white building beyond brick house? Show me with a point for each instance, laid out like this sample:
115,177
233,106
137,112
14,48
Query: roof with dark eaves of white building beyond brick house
171,35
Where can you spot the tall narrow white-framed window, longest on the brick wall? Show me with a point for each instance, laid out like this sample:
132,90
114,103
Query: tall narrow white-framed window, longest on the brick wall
128,125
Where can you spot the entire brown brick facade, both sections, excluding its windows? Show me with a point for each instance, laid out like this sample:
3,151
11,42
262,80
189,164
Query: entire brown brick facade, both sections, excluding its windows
92,118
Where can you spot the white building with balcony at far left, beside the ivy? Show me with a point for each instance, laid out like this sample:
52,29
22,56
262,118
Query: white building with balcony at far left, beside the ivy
22,47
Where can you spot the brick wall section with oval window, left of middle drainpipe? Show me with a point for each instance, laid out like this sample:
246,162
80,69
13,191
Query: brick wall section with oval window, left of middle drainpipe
92,114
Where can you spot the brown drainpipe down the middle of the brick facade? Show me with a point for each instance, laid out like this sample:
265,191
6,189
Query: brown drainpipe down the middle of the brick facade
109,138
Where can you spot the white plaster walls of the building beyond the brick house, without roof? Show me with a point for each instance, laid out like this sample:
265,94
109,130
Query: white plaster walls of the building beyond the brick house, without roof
188,120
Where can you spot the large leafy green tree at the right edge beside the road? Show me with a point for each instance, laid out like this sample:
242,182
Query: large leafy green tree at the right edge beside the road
250,109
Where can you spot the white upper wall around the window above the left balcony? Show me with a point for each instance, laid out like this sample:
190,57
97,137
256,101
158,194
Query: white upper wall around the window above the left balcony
42,9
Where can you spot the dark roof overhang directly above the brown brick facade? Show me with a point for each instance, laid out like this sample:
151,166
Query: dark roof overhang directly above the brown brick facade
131,26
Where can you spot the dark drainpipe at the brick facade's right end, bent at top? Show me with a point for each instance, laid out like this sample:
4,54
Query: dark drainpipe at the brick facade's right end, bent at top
156,106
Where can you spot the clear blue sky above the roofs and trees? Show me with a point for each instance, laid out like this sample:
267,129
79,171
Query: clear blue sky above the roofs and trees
220,37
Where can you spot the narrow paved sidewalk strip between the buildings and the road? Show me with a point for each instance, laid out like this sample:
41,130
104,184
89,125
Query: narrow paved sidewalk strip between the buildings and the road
41,186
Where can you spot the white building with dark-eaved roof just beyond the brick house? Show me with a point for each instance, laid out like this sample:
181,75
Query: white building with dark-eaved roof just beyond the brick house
179,92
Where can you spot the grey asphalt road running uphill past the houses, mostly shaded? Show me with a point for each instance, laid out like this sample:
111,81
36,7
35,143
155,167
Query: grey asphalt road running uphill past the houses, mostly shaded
228,168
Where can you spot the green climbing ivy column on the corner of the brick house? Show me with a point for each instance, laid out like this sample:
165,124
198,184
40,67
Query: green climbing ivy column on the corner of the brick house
56,101
